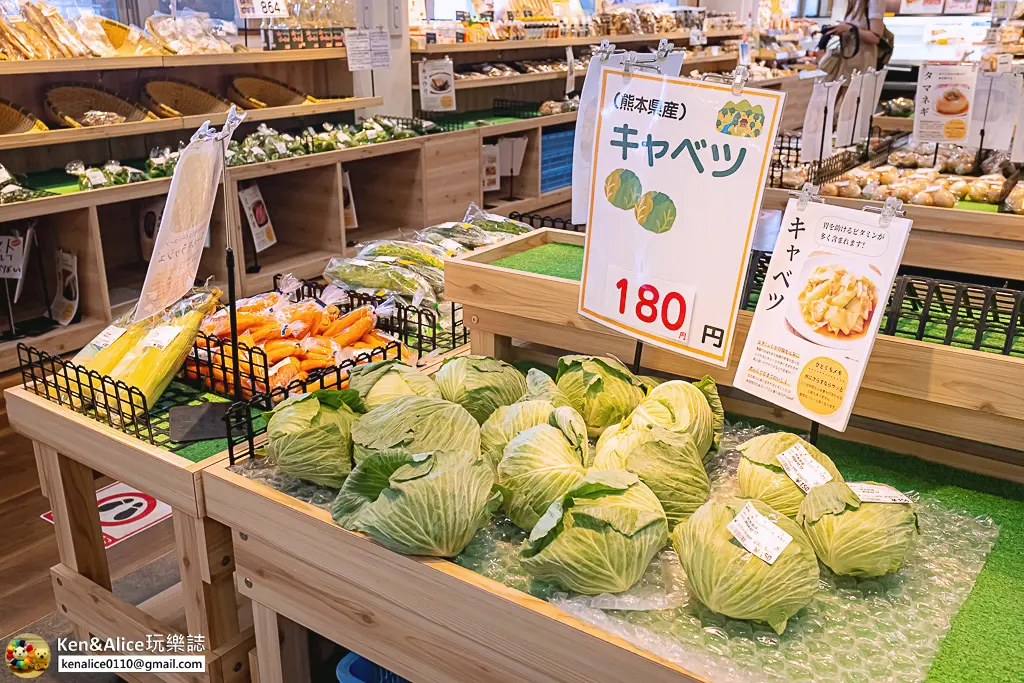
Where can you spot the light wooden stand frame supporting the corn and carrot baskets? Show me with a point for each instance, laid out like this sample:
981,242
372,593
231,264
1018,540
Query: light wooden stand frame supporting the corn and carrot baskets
69,447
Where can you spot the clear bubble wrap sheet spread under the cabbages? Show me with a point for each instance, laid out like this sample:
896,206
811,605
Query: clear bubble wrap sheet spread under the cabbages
880,631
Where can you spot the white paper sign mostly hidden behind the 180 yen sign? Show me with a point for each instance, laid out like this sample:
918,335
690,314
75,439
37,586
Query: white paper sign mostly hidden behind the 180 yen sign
583,144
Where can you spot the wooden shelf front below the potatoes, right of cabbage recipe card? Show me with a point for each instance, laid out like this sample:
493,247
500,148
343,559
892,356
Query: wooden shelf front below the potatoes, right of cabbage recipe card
979,243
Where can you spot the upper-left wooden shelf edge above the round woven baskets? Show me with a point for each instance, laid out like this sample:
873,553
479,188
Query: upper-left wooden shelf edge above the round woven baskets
15,68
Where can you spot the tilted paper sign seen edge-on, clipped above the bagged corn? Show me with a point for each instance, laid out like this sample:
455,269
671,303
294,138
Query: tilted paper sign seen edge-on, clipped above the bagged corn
186,222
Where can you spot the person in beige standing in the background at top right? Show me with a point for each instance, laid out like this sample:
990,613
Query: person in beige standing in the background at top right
855,42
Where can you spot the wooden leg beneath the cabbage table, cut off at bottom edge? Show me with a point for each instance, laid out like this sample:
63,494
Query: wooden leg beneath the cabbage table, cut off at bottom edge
282,648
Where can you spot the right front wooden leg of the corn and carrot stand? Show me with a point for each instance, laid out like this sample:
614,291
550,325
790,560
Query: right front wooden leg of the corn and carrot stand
206,564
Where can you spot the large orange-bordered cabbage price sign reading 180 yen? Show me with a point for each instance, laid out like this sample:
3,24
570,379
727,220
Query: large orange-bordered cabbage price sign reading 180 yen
678,176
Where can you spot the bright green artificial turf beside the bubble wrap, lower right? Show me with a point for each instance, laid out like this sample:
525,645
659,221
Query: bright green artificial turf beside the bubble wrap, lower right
985,644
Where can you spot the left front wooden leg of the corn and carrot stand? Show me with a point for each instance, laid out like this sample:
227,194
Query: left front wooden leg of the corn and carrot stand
76,519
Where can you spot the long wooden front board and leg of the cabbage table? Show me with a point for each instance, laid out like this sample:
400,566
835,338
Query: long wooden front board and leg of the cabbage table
293,562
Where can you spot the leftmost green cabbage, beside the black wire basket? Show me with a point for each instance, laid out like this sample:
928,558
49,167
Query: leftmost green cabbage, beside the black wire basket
309,436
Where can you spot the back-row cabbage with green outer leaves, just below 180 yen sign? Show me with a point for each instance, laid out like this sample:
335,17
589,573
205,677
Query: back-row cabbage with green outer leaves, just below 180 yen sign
602,390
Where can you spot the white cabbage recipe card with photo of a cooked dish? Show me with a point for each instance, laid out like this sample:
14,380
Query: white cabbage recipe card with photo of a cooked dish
821,309
